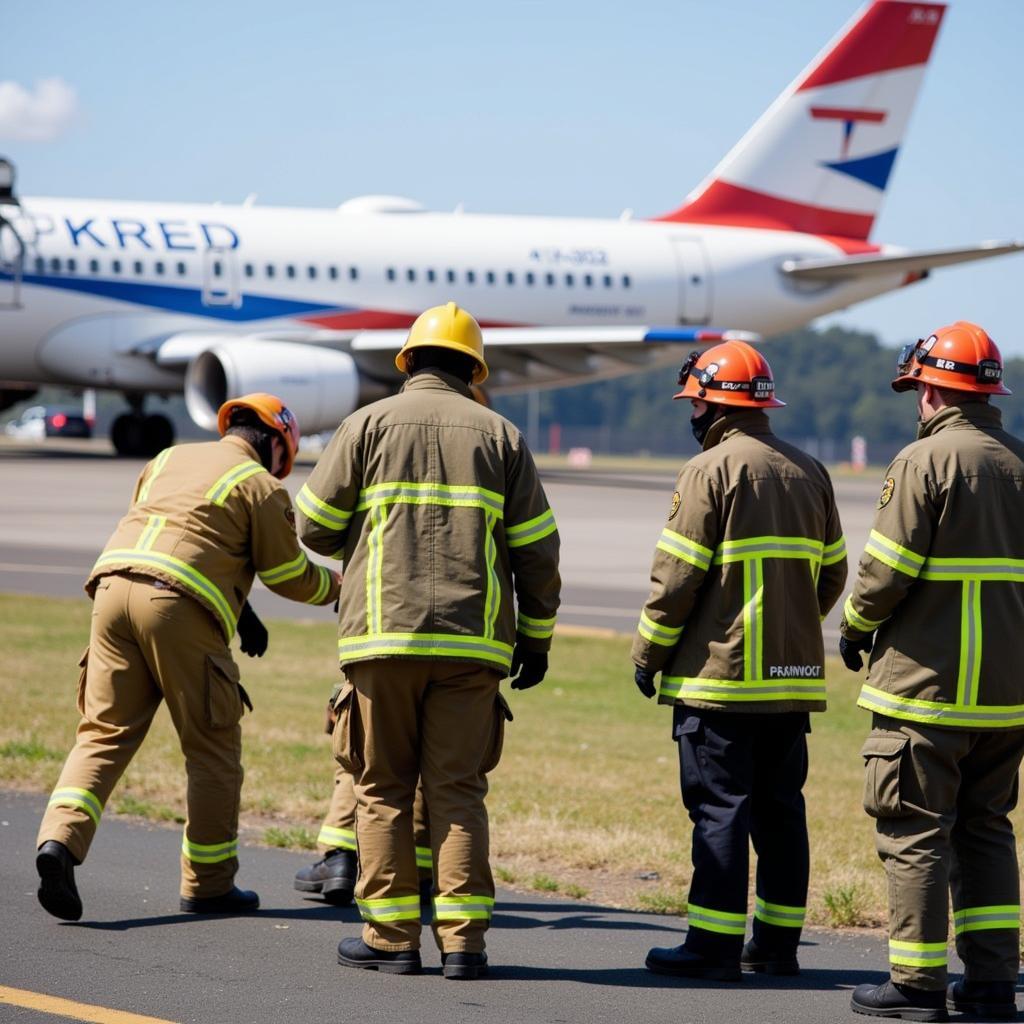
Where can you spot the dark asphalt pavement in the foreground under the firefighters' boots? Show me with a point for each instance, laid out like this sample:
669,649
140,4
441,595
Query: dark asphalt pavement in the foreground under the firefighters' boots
553,960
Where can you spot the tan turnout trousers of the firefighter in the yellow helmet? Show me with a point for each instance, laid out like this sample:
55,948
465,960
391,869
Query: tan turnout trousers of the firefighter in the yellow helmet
440,722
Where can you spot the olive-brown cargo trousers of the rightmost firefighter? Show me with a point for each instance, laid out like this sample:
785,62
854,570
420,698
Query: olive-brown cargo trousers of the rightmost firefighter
942,800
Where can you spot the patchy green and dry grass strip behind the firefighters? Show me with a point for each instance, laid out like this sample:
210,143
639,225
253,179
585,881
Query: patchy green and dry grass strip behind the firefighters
588,788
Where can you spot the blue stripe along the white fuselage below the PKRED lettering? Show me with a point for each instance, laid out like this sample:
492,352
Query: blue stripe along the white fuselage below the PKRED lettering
180,301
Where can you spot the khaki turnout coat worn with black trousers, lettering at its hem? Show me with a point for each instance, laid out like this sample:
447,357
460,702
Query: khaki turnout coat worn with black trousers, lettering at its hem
751,561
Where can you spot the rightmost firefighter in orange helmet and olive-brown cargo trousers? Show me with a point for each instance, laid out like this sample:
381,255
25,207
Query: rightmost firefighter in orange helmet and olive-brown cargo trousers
940,604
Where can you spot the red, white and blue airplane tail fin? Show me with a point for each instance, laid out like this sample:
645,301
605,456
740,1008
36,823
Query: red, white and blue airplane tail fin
820,159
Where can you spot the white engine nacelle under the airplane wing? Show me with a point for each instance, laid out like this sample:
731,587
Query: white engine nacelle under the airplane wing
319,386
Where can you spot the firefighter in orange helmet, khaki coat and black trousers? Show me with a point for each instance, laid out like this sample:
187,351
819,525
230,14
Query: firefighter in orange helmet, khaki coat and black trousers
751,561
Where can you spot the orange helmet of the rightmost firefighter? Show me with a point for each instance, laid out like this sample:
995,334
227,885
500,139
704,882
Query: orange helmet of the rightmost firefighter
961,358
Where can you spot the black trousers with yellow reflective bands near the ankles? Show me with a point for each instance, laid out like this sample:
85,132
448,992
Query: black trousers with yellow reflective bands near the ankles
743,777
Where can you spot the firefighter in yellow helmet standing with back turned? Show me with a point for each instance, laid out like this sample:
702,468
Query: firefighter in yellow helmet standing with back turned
437,507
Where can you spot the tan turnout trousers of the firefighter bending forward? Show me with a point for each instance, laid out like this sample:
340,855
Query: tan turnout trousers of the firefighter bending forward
148,645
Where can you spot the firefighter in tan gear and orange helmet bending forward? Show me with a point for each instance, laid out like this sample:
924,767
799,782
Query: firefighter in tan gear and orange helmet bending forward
169,592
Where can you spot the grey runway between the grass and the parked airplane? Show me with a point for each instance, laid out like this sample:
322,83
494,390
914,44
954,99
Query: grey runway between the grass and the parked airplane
59,505
